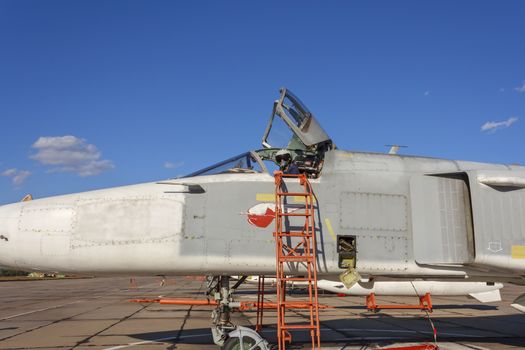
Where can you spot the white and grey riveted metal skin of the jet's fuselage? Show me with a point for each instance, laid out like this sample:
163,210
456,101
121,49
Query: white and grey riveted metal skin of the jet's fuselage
209,232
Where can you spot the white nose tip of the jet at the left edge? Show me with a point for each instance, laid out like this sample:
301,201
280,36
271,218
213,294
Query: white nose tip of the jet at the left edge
9,215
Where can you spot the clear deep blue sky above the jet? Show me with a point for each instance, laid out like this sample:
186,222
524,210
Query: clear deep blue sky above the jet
98,94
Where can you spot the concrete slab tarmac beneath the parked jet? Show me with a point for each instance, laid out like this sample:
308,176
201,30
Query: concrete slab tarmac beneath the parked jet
95,313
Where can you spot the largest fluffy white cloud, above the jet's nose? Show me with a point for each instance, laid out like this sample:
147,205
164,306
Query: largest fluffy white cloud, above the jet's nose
70,154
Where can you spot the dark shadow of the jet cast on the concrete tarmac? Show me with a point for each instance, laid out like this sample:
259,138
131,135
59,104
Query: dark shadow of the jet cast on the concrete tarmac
381,330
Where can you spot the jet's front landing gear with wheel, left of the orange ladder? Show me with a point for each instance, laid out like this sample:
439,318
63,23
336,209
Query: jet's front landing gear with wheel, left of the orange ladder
225,333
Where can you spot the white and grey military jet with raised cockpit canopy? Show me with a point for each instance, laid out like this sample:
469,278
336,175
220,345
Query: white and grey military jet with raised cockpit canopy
382,214
